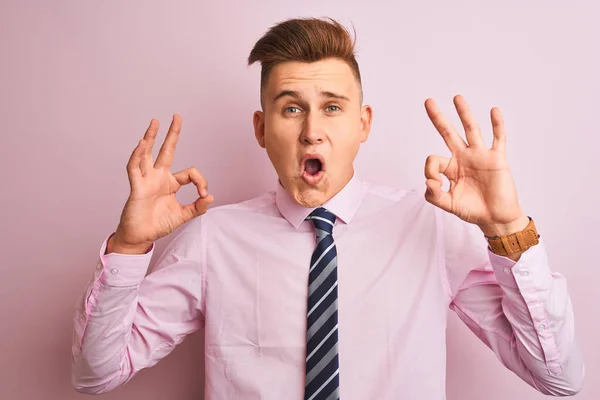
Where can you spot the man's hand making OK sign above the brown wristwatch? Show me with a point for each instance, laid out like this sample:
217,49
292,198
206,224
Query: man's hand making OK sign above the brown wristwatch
482,190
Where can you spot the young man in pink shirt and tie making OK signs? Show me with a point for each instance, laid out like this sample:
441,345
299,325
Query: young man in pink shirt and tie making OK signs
328,287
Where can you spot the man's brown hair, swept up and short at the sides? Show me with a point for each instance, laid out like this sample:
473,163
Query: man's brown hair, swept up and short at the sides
307,40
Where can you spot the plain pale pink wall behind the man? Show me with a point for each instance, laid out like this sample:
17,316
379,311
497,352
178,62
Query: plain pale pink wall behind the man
80,81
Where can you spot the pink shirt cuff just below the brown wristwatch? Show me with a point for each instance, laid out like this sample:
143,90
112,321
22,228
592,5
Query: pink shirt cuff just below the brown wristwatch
527,274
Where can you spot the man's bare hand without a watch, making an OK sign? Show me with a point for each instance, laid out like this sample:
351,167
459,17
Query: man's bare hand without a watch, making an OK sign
152,211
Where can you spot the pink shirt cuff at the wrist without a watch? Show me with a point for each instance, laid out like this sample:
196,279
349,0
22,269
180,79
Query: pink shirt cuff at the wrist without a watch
123,269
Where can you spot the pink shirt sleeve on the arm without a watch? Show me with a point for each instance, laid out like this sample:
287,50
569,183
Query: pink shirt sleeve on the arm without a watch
127,321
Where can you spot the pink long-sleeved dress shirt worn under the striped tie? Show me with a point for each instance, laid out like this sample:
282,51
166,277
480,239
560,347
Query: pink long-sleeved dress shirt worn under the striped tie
240,272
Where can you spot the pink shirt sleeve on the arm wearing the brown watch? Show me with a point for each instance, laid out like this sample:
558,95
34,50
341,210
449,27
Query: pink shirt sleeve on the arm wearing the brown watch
521,310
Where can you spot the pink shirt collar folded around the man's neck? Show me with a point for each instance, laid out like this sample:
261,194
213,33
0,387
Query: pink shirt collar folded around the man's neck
344,204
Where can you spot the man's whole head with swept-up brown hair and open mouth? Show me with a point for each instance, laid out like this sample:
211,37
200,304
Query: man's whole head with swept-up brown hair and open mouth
312,120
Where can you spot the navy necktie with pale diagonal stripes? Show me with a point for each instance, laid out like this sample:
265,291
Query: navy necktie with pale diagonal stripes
322,365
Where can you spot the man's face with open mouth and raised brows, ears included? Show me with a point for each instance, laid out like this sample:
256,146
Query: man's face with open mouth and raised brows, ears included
312,125
